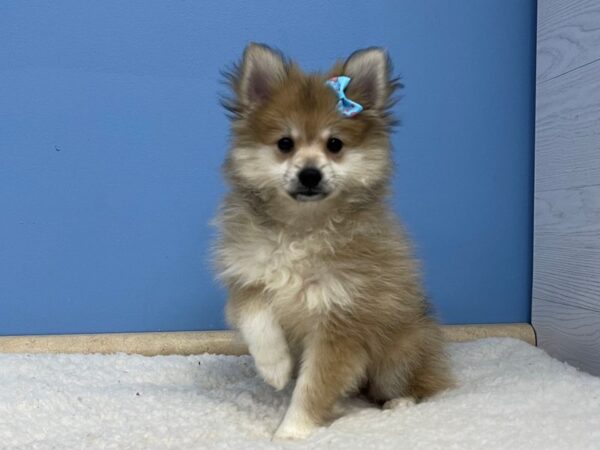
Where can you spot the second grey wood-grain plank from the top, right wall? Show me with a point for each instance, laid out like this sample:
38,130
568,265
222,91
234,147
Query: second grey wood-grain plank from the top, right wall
567,153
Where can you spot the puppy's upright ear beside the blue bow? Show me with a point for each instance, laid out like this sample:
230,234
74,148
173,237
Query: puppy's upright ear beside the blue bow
369,70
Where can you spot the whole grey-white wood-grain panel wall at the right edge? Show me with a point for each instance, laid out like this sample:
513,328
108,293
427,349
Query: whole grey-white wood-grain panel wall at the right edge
566,279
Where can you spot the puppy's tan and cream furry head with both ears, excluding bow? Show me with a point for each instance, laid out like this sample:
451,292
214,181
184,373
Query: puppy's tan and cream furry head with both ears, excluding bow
290,141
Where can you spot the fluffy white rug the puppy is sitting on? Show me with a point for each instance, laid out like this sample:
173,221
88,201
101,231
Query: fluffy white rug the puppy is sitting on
511,396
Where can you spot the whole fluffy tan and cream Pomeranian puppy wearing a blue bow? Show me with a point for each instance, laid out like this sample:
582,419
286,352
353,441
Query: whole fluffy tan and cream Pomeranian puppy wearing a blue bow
321,280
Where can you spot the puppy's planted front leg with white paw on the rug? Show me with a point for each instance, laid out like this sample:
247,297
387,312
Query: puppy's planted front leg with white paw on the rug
330,368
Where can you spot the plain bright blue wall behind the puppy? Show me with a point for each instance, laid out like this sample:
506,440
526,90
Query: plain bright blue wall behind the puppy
111,139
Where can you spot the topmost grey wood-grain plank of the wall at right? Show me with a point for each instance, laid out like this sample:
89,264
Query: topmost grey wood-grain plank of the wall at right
568,36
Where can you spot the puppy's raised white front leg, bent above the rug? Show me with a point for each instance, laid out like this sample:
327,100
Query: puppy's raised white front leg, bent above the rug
264,336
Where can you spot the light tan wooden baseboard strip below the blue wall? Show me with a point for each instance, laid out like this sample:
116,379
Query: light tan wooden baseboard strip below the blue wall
197,342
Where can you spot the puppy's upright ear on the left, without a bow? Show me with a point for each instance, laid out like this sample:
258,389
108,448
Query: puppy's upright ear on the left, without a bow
261,70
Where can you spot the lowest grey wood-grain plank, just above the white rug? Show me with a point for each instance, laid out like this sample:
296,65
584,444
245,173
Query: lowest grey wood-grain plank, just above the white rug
569,333
